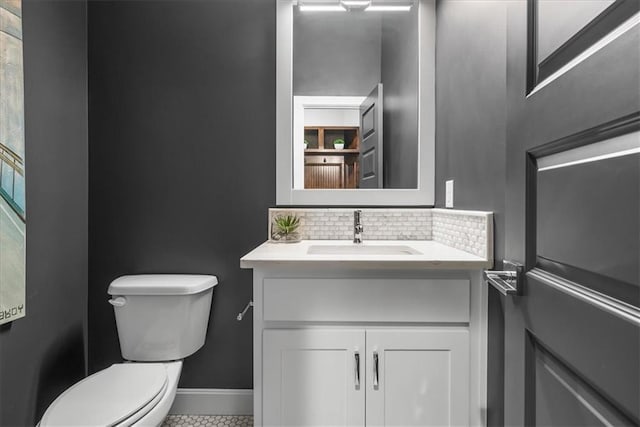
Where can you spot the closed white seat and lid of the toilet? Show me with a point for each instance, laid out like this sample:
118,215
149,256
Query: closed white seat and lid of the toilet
117,396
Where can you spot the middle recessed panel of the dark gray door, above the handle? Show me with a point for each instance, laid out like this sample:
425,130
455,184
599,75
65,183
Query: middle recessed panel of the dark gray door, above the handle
607,230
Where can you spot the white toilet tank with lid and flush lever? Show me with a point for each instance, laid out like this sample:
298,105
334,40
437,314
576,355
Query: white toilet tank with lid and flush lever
161,317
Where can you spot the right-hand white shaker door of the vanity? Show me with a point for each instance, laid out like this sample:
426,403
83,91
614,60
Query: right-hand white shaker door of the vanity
417,377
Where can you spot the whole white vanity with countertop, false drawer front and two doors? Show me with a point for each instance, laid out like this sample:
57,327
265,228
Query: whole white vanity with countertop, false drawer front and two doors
355,340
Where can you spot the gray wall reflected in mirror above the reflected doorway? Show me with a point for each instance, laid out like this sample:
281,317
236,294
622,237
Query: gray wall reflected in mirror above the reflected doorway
336,54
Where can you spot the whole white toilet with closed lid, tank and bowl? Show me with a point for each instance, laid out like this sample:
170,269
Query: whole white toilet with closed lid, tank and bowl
161,319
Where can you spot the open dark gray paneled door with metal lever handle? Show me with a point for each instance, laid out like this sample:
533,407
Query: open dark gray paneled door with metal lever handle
572,336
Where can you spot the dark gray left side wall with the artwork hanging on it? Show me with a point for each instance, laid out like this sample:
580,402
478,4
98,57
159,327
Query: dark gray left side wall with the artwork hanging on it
44,353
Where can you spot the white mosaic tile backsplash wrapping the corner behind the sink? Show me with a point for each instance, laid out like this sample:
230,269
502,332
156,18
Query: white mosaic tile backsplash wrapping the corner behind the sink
470,231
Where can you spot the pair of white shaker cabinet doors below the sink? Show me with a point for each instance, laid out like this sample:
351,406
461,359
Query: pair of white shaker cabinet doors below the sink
373,377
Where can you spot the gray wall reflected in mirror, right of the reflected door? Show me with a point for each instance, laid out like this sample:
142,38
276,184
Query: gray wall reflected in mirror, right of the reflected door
400,99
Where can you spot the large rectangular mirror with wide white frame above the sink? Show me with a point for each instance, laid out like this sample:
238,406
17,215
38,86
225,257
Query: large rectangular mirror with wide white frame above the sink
355,102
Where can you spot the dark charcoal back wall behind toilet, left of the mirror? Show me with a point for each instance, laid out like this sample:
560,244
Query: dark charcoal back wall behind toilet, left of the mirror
182,161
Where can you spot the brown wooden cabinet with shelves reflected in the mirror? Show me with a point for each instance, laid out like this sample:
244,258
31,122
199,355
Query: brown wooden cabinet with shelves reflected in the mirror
327,167
